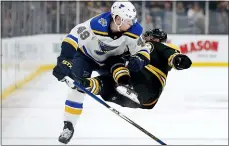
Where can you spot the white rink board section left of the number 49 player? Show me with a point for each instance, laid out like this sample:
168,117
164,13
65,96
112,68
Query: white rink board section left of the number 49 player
21,56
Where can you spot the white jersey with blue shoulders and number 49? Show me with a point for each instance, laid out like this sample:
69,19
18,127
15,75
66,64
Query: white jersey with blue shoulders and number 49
93,39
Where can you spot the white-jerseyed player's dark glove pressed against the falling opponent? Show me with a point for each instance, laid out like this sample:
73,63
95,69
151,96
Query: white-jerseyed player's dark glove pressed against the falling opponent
135,63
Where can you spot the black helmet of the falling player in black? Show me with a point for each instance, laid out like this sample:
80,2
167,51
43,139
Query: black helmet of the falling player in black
156,33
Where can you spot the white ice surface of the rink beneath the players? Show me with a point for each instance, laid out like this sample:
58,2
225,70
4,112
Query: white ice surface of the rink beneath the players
193,109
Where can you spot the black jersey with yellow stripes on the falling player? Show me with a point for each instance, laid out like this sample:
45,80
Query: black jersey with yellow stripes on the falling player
150,81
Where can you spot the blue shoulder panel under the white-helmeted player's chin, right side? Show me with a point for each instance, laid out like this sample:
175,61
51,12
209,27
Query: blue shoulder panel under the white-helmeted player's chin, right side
135,31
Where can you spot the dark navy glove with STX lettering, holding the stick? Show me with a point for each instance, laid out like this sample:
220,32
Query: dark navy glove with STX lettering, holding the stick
62,69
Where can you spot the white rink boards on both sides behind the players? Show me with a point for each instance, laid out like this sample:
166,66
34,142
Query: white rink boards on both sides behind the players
23,55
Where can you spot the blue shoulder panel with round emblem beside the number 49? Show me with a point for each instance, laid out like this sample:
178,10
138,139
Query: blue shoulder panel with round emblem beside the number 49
100,24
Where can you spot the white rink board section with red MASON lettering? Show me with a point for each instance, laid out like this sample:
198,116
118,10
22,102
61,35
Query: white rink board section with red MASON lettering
202,48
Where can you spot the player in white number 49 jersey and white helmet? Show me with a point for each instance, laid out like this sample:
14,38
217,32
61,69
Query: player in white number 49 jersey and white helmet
86,48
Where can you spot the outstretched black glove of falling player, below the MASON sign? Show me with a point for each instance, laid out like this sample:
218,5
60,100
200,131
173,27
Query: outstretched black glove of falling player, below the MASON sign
181,61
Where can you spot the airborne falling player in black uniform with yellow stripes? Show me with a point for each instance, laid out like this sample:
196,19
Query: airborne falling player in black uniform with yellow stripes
142,89
